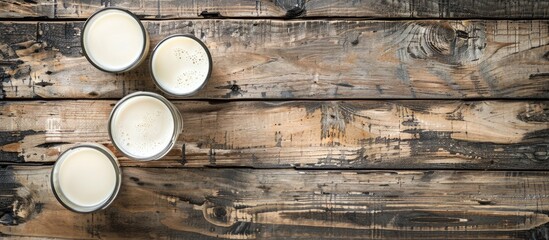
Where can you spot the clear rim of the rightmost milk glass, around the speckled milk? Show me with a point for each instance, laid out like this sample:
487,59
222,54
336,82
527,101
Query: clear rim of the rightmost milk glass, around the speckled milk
210,62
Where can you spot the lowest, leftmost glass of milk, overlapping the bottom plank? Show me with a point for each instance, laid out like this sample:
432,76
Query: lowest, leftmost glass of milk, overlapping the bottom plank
86,178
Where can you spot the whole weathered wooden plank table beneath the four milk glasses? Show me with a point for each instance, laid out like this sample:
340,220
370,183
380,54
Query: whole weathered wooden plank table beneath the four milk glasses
322,119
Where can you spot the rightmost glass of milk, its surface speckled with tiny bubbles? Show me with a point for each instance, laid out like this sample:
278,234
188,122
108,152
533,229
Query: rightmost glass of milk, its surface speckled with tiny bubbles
181,65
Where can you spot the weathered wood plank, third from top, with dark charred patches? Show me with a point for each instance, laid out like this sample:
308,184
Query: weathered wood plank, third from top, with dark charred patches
333,134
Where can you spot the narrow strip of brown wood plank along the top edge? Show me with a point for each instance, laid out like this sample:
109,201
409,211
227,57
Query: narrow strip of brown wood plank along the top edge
154,9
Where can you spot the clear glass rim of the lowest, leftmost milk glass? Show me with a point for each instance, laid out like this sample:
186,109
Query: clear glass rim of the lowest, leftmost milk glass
58,192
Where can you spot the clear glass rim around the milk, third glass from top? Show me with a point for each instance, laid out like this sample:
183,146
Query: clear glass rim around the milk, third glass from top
177,125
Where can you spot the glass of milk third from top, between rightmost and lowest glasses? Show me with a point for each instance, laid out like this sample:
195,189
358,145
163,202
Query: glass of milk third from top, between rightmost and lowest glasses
144,126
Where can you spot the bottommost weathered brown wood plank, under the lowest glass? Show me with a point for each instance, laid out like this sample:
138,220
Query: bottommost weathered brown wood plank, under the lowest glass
249,204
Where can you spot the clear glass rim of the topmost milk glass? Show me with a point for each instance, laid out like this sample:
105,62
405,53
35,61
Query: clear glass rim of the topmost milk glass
143,50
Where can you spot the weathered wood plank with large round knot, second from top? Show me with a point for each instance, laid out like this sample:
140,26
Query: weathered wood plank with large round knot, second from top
300,59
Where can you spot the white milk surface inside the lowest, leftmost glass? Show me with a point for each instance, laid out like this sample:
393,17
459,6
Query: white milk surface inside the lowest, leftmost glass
86,177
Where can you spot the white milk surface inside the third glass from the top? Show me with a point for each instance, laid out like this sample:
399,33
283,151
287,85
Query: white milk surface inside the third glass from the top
142,126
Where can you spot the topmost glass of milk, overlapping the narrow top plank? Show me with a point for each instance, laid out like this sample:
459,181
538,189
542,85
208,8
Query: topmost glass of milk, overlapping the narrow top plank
114,40
